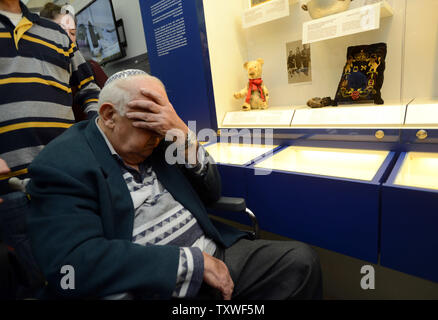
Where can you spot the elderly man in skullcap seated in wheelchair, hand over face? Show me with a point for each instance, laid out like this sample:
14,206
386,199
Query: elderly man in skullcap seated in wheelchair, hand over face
107,205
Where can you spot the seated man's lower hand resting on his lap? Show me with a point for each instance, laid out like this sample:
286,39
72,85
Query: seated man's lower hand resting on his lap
216,275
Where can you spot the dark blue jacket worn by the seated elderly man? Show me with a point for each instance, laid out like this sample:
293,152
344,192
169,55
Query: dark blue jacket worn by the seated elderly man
82,215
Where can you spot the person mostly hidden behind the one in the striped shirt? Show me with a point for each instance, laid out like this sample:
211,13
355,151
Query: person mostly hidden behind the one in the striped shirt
68,22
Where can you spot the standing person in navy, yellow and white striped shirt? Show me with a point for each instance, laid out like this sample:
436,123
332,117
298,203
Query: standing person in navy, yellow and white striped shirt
39,66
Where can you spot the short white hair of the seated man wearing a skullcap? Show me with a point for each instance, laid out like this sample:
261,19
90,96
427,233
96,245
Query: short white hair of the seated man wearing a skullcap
116,93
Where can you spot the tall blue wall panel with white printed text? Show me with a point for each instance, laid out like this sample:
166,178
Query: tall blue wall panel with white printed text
185,70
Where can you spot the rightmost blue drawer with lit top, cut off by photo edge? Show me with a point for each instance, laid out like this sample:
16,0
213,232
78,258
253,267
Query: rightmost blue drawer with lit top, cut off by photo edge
409,239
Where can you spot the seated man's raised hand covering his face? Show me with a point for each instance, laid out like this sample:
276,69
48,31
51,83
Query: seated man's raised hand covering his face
156,114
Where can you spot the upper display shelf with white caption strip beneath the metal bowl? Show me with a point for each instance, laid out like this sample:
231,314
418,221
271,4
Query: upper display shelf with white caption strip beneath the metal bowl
353,21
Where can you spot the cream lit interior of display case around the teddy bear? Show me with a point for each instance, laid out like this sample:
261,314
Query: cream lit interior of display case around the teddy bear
232,45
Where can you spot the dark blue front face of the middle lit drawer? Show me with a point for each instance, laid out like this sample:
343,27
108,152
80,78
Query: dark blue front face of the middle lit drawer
334,214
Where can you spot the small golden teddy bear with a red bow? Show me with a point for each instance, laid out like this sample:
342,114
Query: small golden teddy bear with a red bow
255,93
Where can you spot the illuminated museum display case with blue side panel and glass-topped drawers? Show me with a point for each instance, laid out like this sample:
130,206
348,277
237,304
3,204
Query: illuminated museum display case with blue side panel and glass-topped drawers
335,176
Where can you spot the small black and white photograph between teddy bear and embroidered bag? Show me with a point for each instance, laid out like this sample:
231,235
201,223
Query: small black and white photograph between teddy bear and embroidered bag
299,63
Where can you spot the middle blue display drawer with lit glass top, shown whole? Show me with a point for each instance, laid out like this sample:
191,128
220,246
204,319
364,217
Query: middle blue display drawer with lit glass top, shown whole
324,197
